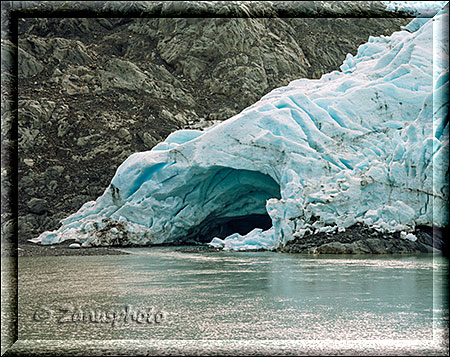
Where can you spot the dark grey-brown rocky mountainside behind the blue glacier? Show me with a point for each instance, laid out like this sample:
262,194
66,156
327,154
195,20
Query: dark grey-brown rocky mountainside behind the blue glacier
94,90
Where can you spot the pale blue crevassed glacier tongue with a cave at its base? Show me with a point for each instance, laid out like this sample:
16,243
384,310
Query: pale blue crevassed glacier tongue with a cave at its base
365,144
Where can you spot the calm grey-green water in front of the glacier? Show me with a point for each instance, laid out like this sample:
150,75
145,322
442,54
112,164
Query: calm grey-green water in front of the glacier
163,294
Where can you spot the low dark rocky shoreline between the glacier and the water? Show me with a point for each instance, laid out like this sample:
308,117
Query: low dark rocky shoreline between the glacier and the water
357,239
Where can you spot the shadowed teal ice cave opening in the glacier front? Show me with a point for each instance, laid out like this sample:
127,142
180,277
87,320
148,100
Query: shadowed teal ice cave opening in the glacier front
236,202
